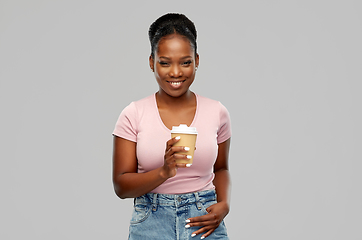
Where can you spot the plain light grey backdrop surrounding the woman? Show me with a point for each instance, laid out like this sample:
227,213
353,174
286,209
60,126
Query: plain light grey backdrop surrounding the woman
288,71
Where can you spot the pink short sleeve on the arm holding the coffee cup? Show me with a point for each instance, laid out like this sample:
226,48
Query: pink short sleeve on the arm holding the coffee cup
126,126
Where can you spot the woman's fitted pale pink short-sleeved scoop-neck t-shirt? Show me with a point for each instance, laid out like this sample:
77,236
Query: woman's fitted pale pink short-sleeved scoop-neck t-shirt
140,122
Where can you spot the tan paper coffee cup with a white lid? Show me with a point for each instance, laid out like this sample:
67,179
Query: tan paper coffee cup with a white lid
188,139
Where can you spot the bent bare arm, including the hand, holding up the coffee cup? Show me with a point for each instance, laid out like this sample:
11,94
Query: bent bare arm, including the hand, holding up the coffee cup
127,182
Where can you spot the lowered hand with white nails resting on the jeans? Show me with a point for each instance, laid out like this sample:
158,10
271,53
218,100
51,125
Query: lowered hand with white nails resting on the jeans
210,221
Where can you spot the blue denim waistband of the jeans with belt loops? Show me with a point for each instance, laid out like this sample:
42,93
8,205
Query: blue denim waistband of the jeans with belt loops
176,199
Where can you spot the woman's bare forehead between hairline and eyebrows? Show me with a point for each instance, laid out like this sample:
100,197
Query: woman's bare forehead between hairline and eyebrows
174,45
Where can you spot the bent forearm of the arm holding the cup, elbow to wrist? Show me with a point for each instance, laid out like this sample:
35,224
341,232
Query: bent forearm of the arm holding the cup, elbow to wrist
131,185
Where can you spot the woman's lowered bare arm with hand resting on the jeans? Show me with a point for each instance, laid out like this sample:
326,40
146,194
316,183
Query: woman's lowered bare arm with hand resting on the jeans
218,211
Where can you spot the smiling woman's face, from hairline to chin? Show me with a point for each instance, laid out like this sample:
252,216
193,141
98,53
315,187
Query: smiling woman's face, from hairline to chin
174,65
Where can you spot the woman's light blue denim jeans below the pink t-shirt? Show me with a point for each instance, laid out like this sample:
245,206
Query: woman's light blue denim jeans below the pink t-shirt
162,216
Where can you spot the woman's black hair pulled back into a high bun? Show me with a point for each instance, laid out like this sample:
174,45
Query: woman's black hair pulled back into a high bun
171,23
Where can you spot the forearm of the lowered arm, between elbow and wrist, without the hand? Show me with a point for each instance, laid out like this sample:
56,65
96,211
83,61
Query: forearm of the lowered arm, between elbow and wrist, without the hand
222,186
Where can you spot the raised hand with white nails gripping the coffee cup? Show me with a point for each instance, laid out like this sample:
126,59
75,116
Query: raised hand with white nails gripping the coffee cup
169,168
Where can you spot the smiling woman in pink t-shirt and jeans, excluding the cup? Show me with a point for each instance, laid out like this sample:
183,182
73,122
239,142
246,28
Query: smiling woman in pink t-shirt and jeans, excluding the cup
173,201
